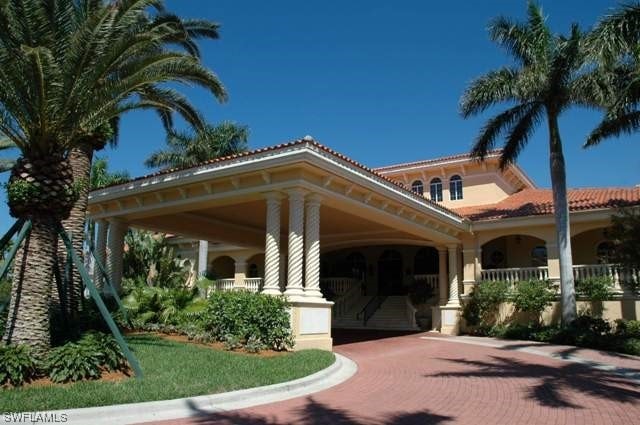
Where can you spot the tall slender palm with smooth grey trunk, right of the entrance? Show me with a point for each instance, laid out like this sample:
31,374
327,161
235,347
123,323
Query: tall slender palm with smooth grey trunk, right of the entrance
545,81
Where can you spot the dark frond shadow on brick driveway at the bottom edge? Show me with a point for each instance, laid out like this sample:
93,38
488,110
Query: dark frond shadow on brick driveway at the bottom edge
312,413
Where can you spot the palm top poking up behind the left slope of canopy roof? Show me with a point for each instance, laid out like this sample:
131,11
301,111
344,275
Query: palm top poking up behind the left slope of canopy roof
190,149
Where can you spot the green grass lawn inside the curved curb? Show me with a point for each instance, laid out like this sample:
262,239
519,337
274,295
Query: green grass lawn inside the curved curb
172,370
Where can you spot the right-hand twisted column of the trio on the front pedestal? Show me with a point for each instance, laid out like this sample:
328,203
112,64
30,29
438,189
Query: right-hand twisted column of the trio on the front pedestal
312,247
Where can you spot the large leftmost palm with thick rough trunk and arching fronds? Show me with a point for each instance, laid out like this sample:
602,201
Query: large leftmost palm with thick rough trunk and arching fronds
68,70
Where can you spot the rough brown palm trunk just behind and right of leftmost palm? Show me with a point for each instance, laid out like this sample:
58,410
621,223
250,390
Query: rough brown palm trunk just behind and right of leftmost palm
80,160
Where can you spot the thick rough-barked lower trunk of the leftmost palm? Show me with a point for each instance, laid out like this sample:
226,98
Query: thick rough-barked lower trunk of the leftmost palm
28,319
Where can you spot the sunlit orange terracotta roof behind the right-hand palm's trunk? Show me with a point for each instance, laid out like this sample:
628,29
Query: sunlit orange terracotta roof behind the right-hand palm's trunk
531,202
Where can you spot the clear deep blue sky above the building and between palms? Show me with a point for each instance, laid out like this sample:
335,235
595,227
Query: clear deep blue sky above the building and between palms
376,80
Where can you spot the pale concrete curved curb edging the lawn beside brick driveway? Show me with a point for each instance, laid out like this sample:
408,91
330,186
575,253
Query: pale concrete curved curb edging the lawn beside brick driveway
341,370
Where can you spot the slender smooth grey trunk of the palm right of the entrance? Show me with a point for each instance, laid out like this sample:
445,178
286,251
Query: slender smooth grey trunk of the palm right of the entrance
563,232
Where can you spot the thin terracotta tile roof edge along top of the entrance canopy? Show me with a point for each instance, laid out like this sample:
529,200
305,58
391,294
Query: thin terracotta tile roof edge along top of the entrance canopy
298,142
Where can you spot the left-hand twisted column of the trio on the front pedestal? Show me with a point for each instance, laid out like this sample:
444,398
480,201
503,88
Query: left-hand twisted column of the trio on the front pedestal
272,245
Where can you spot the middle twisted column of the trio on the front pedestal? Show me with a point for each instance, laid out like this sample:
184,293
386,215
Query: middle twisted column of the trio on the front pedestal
296,243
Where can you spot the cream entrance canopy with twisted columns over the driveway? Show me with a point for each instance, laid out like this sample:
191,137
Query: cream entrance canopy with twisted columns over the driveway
280,207
